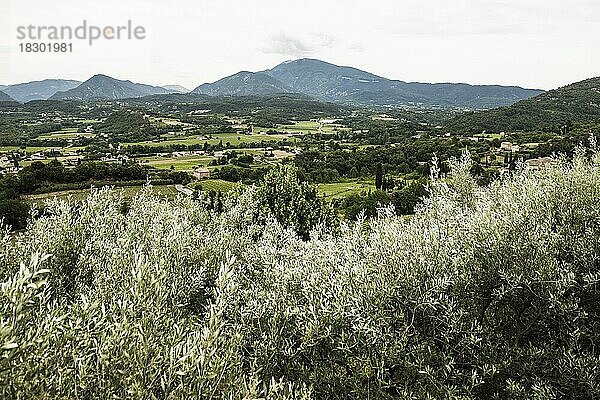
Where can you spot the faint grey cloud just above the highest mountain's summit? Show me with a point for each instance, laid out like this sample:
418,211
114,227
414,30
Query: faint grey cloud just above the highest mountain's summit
282,43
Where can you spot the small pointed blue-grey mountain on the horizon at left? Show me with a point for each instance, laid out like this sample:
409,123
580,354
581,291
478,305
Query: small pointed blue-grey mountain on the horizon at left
102,87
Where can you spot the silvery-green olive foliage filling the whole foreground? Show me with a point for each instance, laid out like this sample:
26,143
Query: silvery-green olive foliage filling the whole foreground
486,292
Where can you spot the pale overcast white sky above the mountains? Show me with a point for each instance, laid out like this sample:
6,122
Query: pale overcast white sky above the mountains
531,43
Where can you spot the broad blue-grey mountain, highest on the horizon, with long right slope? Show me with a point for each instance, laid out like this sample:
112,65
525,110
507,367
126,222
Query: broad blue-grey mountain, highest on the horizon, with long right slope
329,82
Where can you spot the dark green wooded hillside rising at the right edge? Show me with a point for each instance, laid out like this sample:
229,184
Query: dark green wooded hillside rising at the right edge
550,111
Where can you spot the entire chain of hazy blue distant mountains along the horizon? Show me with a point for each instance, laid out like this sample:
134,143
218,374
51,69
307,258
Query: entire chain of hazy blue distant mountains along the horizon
313,78
